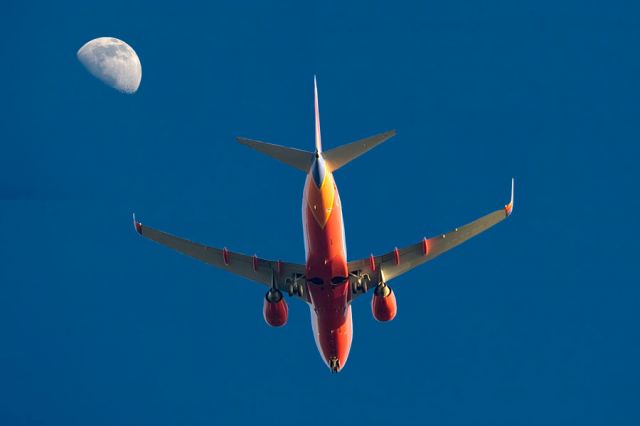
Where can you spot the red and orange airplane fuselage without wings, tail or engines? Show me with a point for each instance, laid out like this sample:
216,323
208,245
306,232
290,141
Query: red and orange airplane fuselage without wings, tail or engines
326,266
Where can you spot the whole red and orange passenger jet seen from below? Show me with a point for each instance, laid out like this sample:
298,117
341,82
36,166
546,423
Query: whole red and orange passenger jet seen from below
327,282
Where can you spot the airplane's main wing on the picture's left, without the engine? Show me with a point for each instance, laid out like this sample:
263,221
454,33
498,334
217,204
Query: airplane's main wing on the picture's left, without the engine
283,275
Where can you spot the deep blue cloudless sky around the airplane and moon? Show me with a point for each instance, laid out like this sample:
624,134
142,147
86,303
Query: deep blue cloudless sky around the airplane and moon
534,322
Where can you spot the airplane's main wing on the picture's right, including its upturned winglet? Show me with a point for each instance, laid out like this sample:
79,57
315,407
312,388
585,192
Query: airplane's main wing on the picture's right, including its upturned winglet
367,273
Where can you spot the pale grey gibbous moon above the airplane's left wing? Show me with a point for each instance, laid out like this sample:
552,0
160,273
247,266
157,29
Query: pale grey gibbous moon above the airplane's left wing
113,62
